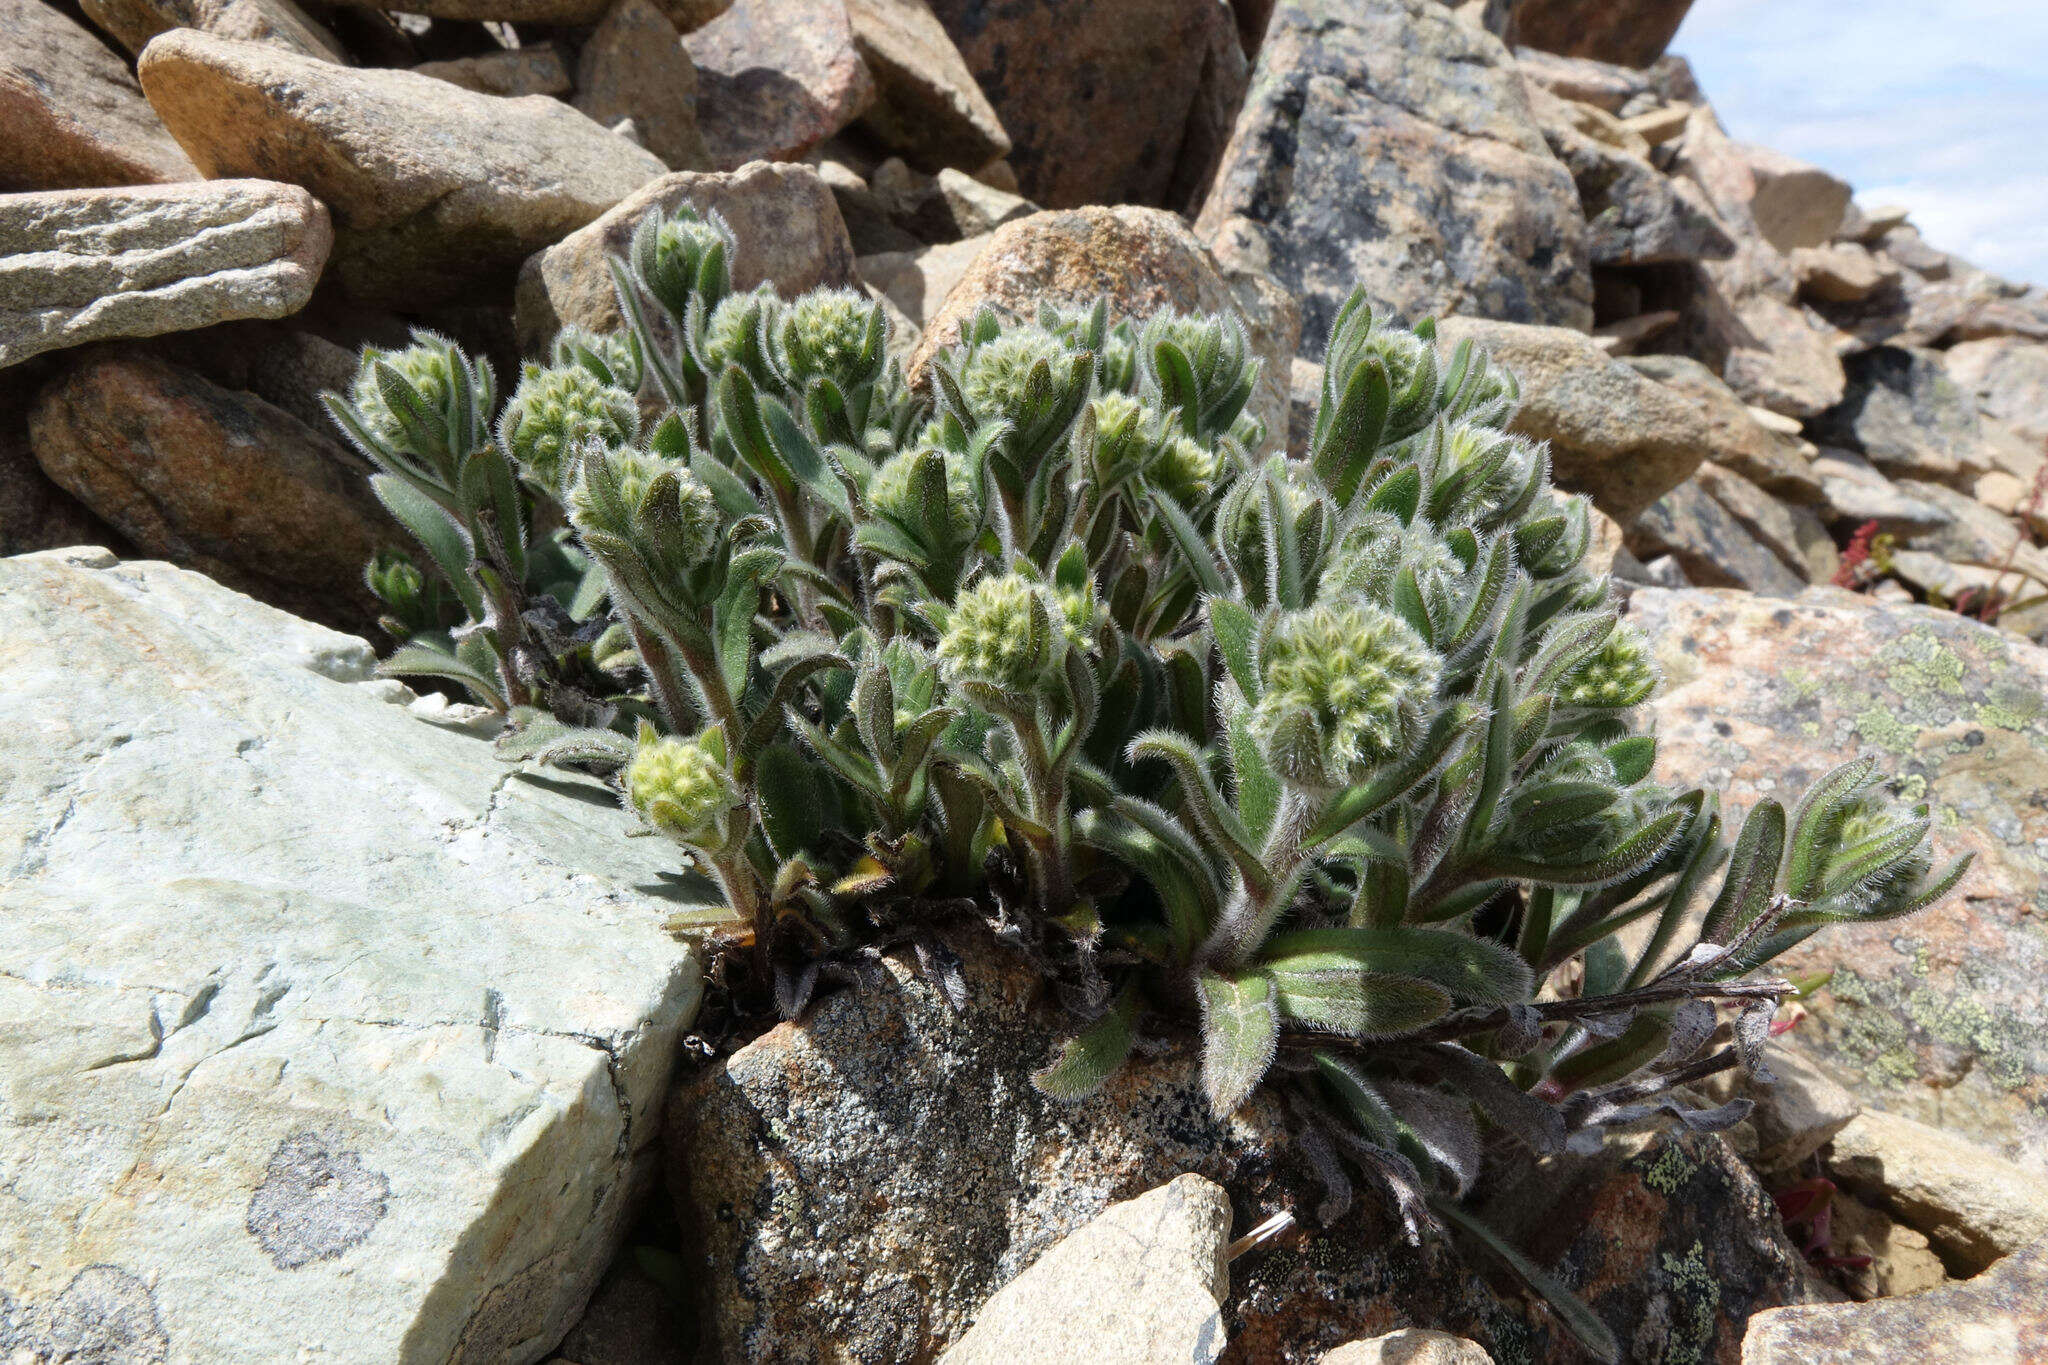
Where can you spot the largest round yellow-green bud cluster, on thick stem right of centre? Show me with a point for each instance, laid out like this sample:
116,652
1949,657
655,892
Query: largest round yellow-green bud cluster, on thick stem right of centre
1345,691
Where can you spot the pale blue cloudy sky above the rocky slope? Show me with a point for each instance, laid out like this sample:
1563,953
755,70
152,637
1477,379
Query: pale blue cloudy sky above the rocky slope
1936,105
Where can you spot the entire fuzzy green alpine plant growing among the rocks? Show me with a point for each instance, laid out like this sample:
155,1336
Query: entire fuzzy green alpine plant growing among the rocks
1330,764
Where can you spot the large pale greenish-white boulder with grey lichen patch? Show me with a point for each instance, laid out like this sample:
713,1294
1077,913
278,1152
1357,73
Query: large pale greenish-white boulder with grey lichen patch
323,1030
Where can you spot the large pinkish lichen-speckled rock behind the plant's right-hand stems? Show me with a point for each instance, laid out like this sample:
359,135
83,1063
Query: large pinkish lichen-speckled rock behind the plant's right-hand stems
1938,1018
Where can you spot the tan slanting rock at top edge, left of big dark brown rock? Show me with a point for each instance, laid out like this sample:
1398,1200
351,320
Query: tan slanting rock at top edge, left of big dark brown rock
927,101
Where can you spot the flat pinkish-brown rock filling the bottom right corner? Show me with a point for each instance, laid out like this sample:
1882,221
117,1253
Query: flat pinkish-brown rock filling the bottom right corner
1992,1319
